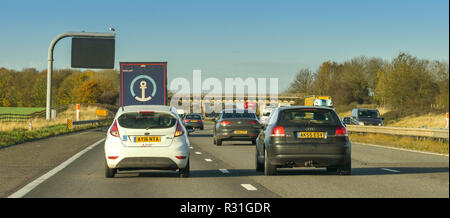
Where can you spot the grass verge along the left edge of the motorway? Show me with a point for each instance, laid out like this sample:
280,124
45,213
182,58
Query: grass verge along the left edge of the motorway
21,135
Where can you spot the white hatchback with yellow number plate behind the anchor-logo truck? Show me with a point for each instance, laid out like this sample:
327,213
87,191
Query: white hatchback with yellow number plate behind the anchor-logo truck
147,137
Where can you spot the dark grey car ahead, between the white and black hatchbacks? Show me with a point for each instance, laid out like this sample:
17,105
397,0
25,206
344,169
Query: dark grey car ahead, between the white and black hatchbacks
236,125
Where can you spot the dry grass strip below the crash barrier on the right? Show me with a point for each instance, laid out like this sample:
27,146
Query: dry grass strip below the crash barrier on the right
411,143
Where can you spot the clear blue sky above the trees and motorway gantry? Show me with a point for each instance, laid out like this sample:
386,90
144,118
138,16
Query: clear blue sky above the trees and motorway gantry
229,38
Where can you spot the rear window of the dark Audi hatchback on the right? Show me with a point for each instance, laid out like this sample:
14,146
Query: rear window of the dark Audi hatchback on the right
308,117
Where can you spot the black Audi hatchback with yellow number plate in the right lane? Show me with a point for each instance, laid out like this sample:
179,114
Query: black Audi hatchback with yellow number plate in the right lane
304,136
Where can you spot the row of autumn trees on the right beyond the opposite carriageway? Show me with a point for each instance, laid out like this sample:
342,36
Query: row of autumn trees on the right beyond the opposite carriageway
403,83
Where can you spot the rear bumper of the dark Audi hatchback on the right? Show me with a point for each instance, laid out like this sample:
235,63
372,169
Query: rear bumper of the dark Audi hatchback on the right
309,155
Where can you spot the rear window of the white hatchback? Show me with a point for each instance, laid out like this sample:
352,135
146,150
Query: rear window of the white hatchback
154,120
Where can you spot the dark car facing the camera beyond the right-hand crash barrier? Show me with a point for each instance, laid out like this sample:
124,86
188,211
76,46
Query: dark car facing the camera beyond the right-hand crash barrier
366,117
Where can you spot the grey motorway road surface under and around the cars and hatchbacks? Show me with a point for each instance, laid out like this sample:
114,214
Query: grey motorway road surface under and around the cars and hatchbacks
218,171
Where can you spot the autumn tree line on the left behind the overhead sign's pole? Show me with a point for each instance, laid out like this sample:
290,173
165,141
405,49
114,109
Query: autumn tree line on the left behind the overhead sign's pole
28,88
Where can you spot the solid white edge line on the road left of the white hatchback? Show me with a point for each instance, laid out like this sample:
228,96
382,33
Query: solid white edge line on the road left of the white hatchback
30,186
